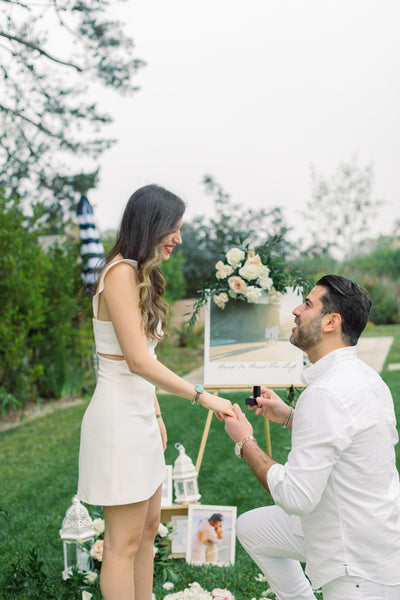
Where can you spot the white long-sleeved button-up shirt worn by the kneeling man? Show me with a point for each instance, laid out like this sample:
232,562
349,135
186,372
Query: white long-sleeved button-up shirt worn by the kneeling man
340,476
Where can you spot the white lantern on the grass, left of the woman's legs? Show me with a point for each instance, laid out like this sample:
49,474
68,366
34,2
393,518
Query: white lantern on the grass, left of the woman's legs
77,528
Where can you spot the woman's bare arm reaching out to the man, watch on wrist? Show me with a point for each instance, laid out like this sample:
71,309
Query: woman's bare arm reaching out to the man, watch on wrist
121,298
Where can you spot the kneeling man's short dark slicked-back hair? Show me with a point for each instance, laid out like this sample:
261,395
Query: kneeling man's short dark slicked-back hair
350,301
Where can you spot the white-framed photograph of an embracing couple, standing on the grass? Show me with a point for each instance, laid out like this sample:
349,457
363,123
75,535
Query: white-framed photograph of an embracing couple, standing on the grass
211,535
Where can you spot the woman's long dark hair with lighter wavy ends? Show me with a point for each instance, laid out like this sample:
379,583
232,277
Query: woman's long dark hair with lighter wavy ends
151,213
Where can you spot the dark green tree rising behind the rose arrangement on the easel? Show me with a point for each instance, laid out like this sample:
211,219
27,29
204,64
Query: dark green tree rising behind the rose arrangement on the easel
206,239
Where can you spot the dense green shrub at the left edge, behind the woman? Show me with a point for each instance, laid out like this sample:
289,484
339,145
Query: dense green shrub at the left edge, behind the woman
44,342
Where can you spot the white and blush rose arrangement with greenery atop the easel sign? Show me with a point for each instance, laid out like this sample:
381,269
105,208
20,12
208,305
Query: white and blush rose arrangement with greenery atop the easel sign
249,275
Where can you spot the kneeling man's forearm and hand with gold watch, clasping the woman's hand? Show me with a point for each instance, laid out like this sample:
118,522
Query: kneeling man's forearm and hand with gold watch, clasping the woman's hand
258,461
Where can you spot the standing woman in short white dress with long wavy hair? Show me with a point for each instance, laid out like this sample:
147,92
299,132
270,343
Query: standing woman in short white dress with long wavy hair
121,462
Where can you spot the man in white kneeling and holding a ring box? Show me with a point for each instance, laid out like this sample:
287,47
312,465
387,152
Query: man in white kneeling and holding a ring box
337,498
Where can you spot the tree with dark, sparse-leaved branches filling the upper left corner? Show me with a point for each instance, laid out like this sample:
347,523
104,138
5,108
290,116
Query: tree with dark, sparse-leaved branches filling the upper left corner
47,110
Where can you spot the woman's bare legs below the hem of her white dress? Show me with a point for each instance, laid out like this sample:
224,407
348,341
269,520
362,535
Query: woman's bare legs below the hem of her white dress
126,527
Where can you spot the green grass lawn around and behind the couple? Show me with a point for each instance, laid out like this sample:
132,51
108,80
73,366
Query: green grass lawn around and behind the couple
38,474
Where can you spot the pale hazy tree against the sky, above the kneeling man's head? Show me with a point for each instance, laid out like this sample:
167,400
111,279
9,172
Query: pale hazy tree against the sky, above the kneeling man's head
340,209
